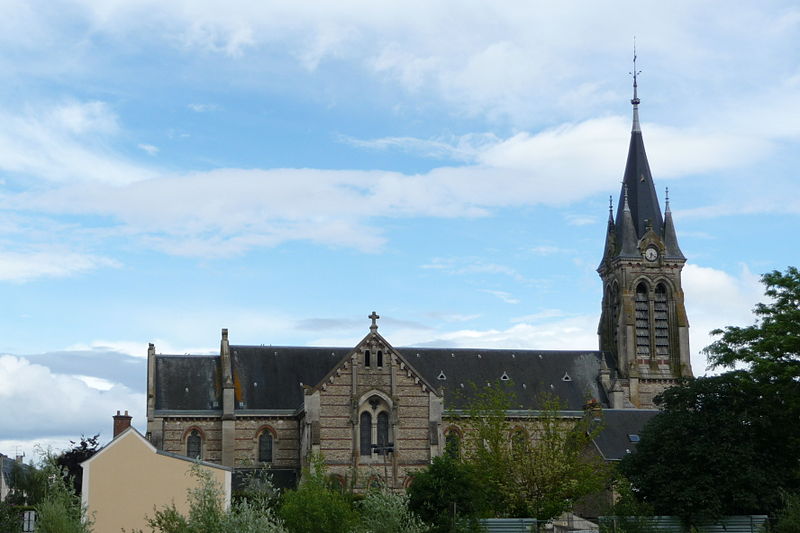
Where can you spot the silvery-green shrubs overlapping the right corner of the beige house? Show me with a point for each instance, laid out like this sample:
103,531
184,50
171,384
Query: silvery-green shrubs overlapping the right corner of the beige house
207,513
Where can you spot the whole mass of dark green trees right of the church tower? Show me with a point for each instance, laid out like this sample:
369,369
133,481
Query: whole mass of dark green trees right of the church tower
743,436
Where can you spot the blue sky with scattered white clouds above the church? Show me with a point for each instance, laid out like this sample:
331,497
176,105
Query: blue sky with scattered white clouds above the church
282,169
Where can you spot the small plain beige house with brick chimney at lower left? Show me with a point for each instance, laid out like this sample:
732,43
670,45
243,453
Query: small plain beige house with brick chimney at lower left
128,478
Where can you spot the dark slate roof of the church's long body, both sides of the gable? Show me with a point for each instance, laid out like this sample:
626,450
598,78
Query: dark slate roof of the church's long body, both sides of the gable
271,377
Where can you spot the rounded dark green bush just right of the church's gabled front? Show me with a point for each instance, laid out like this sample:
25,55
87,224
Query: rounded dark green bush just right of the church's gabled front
448,489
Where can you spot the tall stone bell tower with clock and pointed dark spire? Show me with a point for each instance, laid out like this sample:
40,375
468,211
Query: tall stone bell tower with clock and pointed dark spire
643,323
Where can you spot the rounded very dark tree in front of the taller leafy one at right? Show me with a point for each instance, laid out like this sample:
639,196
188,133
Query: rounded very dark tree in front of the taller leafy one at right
718,448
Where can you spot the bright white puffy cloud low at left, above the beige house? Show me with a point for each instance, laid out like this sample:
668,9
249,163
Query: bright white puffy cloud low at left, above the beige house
40,403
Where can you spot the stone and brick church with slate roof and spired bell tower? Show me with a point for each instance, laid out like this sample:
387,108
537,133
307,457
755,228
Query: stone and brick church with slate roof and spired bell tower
377,412
